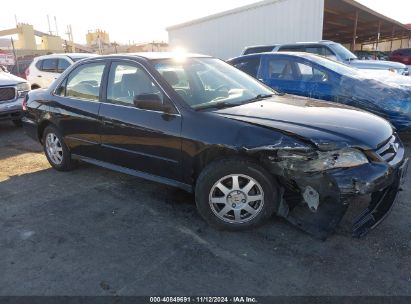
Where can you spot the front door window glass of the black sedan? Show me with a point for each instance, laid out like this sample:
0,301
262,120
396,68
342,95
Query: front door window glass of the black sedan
127,82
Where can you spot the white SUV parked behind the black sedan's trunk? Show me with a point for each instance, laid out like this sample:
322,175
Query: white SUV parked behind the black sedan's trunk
45,69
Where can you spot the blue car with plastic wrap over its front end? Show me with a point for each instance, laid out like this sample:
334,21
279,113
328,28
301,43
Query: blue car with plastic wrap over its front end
383,93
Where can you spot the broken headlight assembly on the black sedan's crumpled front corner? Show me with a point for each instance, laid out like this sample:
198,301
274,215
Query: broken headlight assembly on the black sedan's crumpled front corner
320,161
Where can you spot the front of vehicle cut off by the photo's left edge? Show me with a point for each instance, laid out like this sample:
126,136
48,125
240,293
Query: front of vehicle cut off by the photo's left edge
13,89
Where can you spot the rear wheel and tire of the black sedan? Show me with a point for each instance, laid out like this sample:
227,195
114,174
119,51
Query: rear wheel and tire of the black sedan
56,150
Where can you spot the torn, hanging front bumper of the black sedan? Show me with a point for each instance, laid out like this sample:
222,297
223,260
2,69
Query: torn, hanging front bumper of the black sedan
317,202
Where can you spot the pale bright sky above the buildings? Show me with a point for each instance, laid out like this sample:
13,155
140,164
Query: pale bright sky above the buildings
139,20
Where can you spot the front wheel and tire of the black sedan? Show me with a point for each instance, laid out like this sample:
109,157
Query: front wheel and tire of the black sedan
236,194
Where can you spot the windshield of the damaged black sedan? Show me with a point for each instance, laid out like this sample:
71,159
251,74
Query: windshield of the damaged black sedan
210,83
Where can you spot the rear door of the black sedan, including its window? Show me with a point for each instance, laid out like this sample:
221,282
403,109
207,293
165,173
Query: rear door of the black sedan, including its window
76,106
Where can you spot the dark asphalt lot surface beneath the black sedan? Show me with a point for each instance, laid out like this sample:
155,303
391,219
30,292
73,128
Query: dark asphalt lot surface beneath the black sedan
96,232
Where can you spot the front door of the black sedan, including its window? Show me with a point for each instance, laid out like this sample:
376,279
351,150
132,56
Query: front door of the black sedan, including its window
144,140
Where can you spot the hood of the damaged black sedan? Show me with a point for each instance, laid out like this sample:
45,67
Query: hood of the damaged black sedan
327,125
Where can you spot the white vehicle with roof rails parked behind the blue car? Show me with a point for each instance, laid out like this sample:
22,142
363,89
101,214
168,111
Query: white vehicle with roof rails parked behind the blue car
339,53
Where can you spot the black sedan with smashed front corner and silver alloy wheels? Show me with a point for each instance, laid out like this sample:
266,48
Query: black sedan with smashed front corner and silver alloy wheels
196,123
